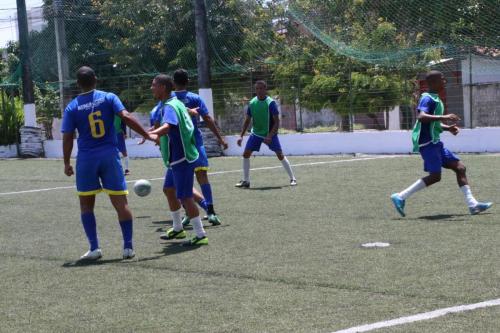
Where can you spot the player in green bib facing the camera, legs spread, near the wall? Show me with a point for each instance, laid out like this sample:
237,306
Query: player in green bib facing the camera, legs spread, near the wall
263,113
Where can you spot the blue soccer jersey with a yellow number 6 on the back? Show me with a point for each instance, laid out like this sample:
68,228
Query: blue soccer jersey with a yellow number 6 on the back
92,114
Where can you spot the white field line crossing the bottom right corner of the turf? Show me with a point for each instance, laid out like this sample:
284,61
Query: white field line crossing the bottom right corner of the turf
421,316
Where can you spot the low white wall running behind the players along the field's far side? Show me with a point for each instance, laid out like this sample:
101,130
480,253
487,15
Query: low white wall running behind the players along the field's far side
477,140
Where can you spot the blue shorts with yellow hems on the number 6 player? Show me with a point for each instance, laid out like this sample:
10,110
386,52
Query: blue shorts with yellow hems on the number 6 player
101,174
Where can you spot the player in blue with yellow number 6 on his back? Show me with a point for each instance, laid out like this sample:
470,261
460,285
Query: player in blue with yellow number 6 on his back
98,166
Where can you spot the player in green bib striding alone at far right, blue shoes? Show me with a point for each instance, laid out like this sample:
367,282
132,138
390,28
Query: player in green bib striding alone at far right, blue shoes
426,140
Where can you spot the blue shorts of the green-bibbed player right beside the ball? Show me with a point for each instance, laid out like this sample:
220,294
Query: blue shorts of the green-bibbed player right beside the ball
181,176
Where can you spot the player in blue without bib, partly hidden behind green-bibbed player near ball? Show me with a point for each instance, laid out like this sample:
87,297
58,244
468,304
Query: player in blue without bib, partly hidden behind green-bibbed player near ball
194,101
